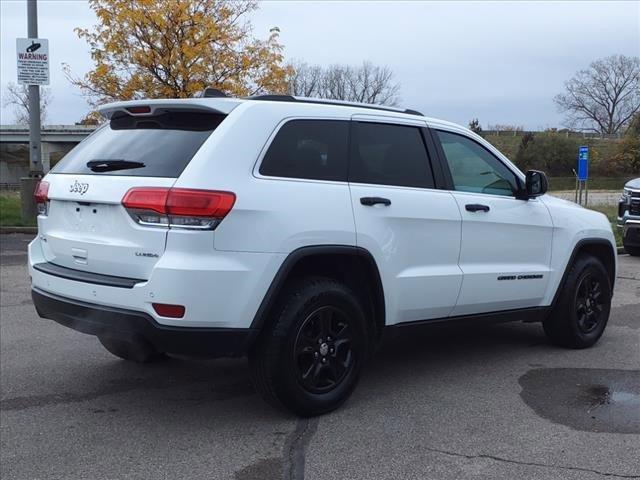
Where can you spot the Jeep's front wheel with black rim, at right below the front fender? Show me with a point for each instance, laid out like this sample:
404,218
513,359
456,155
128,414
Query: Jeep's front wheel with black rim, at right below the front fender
581,312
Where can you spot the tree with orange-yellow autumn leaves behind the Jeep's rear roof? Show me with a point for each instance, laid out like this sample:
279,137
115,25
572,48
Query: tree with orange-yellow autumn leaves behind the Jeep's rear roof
175,48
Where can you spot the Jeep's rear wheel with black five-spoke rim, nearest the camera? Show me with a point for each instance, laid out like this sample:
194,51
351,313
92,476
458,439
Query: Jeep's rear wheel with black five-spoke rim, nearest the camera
309,359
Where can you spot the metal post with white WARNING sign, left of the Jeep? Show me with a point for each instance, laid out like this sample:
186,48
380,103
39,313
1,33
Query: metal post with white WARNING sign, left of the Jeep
33,70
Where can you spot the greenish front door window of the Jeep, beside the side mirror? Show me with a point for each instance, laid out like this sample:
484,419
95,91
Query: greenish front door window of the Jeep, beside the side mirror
473,168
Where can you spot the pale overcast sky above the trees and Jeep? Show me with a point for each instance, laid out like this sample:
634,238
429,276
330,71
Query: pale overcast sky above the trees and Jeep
501,62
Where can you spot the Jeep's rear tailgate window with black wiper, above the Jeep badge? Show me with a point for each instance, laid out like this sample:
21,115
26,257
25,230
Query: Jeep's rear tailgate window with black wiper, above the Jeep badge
160,145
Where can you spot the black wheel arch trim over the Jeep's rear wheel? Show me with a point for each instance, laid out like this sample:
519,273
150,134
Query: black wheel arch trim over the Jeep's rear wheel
295,256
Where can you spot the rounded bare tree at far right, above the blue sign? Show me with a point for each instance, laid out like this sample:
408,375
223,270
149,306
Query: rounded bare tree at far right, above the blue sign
604,97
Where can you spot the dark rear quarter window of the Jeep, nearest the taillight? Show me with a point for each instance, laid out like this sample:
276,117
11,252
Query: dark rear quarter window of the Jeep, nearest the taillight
314,149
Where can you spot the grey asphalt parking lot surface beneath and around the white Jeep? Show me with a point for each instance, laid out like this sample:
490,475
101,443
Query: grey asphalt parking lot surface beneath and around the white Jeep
488,403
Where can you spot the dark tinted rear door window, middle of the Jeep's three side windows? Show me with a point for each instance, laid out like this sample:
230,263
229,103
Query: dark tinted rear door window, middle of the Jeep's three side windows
387,154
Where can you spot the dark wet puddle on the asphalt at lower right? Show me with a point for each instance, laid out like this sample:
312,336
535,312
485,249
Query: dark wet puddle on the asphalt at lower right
587,399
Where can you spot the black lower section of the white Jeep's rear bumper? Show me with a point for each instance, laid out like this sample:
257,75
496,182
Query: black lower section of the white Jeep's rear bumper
127,324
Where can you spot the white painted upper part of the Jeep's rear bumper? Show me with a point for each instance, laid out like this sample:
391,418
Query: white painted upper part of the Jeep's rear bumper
220,290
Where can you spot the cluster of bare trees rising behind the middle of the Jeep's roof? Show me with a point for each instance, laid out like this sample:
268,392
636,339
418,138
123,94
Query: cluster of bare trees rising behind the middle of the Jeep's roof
367,83
